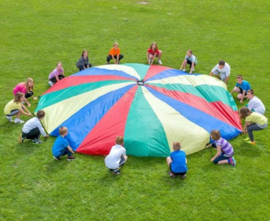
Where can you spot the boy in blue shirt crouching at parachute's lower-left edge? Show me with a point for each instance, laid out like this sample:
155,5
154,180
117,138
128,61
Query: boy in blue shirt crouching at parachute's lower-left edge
61,146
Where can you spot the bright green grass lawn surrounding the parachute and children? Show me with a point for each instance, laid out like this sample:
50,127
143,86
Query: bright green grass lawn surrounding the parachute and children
37,34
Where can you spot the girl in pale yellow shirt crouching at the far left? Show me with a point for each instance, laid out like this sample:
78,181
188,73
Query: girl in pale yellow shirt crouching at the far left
15,107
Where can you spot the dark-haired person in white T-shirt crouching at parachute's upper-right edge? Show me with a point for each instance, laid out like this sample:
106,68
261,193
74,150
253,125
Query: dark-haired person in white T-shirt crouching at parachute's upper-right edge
222,71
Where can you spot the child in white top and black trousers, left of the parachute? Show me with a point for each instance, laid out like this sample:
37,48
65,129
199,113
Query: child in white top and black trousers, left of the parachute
33,128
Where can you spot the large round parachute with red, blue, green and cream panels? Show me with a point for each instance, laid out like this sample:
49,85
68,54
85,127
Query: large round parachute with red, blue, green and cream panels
152,106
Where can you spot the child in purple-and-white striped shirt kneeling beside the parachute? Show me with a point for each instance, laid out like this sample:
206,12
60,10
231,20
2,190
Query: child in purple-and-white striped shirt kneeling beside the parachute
225,151
